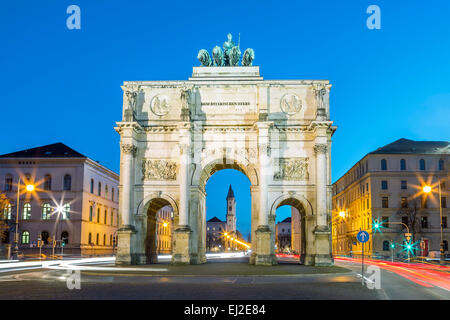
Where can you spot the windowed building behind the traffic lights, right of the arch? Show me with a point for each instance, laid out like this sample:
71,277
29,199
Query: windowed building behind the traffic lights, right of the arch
387,187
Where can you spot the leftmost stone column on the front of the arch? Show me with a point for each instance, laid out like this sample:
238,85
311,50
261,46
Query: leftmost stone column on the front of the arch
126,230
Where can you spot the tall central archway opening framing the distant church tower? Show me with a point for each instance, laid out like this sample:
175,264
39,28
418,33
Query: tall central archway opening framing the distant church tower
228,215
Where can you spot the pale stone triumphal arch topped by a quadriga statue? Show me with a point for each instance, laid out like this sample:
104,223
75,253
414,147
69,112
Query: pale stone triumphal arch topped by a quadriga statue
175,134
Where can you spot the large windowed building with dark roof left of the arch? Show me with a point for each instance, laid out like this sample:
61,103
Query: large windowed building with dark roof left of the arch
75,200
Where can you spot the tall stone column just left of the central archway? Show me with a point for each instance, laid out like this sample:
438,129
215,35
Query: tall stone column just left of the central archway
183,234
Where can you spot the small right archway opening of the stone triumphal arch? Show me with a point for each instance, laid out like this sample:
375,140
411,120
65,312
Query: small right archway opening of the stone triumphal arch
290,231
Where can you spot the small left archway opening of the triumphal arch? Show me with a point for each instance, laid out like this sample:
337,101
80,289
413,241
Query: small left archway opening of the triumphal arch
159,236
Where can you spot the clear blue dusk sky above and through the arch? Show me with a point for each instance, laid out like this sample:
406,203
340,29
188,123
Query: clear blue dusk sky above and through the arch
61,85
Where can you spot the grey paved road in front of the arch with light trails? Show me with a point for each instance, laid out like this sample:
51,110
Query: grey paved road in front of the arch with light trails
116,283
